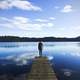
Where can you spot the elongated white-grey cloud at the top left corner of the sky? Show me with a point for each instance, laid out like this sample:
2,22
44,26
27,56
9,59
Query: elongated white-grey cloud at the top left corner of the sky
20,4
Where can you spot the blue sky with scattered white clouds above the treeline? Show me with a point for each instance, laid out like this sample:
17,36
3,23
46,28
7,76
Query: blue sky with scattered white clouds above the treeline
40,18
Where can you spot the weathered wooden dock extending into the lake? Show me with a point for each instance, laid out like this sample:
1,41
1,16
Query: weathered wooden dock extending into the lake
41,70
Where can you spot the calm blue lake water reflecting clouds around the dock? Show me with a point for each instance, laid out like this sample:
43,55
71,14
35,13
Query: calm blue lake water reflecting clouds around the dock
16,58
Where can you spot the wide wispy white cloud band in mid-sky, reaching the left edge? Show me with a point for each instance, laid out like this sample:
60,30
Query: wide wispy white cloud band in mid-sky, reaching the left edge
23,23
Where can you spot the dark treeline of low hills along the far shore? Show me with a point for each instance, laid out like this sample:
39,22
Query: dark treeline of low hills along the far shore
27,39
